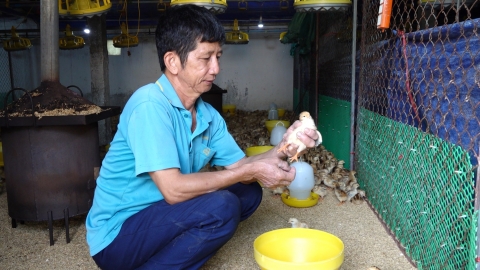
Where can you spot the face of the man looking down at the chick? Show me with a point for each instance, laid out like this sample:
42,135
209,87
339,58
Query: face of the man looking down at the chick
201,68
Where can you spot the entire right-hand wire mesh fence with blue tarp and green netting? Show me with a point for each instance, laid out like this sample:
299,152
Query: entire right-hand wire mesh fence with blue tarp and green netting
418,127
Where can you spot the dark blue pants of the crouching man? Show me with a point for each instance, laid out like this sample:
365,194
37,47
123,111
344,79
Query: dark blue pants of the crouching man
180,236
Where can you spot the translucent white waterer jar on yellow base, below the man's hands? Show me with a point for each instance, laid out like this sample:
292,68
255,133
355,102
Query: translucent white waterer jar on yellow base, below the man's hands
301,187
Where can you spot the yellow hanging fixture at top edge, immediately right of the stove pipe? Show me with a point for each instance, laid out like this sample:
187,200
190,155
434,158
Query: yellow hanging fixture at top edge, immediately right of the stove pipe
81,8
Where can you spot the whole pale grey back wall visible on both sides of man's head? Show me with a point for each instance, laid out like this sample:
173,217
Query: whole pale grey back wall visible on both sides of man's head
254,75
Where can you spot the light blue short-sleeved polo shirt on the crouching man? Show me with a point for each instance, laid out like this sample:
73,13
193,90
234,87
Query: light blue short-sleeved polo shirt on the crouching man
154,133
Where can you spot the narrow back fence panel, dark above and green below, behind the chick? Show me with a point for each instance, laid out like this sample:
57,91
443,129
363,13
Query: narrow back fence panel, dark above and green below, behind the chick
334,42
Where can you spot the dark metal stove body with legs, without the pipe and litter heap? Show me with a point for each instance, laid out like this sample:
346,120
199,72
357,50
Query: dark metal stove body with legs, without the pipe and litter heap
50,166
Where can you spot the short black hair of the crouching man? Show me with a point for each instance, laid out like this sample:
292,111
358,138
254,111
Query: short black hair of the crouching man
180,27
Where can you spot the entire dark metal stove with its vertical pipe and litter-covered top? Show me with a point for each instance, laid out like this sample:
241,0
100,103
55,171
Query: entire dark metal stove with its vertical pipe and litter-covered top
50,162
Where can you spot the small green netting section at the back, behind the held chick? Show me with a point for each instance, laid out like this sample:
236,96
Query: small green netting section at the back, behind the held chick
334,124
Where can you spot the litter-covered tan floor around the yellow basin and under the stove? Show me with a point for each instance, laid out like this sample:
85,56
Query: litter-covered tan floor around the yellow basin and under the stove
366,241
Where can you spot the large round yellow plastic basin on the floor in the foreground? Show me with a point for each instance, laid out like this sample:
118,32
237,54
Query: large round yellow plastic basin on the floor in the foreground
299,249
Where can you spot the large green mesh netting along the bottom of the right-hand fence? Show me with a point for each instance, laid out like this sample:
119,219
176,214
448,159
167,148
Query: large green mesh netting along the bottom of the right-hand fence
423,189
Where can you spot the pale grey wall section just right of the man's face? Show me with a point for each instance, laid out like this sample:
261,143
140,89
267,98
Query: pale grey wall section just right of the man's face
257,74
